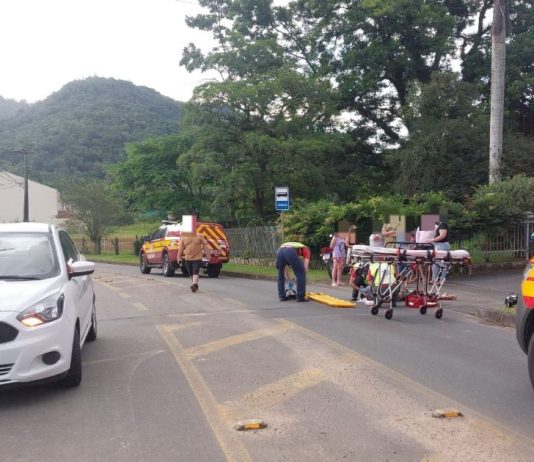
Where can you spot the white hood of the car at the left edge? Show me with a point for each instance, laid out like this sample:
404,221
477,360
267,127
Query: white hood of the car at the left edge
19,295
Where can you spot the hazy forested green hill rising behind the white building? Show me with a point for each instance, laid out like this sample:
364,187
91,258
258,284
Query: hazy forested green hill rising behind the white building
84,126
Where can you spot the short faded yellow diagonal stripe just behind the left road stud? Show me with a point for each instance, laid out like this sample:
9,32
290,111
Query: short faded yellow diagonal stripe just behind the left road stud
272,394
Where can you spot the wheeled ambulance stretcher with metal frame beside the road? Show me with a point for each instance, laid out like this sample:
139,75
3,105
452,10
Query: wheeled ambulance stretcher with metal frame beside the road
391,268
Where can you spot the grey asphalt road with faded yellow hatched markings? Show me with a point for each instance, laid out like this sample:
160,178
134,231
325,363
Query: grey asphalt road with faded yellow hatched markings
172,372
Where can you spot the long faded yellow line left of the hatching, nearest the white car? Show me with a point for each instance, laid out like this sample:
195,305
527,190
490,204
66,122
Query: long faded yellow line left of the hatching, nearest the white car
232,447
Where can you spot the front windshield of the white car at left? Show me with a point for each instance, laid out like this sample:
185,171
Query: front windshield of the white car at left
26,256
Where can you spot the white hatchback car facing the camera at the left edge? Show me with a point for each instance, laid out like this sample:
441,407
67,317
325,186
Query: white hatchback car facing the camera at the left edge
47,305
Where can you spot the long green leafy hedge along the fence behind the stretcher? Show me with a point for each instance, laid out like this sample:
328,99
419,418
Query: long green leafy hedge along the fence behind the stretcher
491,208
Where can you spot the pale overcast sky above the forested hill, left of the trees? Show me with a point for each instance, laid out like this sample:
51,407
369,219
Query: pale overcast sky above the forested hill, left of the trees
45,44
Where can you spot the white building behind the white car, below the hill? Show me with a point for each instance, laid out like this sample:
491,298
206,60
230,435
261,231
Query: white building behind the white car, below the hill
43,201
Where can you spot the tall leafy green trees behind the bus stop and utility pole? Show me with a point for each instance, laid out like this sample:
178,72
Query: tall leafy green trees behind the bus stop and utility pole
340,99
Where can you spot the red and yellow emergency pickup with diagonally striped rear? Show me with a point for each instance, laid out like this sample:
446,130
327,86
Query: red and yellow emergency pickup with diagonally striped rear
160,249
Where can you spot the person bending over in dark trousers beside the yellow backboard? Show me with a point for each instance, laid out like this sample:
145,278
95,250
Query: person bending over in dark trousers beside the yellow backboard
297,256
